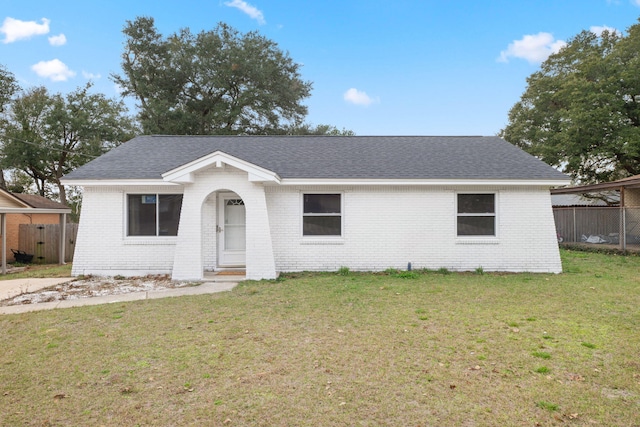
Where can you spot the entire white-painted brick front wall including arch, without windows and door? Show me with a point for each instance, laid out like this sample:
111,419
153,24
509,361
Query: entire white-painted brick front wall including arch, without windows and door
384,226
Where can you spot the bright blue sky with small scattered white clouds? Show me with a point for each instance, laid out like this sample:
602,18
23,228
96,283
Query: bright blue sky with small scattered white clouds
402,67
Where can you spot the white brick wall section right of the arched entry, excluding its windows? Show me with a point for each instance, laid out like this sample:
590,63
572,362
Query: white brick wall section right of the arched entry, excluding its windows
392,226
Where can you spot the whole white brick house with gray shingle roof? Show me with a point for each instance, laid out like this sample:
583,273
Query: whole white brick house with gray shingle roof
187,205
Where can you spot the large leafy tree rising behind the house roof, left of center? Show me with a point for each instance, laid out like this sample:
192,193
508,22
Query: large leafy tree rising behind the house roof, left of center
215,82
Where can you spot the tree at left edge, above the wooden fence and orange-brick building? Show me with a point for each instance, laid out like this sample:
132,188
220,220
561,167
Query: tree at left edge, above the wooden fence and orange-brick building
47,136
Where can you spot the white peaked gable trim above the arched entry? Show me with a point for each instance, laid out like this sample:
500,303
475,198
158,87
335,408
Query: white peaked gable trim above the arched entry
185,173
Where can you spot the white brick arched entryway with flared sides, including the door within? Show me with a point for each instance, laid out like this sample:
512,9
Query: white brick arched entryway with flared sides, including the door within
224,224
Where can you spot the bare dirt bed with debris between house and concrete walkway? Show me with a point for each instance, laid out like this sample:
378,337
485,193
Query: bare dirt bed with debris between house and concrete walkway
95,287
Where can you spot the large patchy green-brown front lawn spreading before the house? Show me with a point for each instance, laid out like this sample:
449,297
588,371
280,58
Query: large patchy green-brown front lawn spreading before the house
333,350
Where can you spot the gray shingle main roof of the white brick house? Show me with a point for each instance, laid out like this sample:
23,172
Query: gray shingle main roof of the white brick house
327,157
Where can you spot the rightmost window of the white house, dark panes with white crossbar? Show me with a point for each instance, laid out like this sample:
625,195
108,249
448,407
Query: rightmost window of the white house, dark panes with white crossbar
476,214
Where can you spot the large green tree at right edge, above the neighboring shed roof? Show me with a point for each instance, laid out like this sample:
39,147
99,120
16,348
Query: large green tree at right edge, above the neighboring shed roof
581,110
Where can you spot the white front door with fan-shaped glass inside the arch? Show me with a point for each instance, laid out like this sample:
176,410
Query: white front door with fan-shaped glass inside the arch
231,231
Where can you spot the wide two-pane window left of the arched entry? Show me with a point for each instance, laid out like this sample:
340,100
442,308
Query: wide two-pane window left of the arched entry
153,214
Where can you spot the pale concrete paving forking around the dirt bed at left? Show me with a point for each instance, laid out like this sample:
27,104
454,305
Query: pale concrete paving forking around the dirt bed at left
18,286
